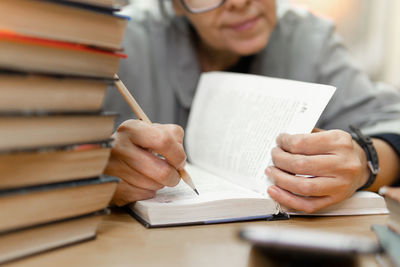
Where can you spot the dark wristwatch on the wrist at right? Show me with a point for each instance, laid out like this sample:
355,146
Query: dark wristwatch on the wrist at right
372,157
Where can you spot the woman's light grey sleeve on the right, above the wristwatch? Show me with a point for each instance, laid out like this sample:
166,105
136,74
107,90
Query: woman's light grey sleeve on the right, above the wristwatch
373,107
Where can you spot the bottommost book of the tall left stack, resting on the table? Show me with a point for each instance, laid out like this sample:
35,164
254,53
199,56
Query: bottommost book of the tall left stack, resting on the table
30,240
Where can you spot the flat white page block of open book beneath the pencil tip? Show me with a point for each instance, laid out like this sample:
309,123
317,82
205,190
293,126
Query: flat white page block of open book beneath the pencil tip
219,200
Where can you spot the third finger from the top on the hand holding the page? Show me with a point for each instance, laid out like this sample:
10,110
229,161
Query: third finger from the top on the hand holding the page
317,186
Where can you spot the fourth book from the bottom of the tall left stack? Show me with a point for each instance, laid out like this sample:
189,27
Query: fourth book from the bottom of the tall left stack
31,130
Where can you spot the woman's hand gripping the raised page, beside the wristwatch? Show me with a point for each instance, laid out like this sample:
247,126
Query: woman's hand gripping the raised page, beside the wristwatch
336,163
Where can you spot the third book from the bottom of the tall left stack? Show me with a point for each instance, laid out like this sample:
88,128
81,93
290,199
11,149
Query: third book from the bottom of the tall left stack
45,165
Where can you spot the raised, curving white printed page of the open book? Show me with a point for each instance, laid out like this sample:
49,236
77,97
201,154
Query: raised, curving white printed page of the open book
235,119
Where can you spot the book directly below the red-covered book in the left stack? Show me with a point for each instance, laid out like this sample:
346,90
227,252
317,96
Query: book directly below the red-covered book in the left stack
28,92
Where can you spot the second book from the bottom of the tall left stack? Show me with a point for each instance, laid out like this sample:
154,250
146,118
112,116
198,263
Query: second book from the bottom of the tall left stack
28,206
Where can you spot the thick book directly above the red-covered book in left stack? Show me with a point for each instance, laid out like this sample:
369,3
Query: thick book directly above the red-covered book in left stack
64,21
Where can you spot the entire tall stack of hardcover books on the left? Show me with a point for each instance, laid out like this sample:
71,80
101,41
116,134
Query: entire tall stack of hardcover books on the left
58,58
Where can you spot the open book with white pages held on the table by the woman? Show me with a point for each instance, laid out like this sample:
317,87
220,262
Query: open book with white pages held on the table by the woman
233,124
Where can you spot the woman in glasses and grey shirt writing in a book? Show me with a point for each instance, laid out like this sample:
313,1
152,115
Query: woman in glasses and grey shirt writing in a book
166,55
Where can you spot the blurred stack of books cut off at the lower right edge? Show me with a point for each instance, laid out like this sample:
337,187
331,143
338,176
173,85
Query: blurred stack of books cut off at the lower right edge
389,234
